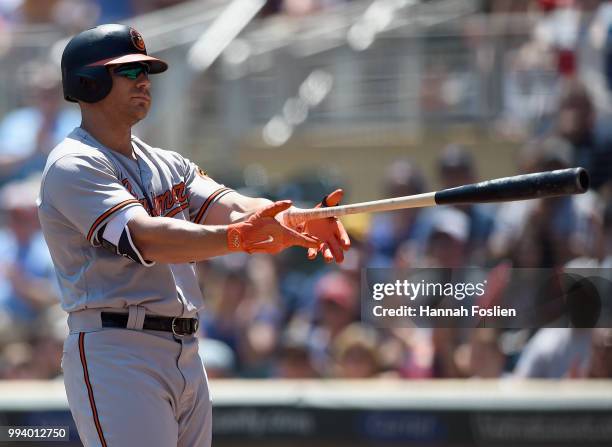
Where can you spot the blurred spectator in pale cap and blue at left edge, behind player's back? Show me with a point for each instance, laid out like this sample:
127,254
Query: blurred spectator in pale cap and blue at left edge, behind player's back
27,279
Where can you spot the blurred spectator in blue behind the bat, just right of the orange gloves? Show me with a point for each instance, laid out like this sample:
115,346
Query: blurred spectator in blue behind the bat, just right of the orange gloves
389,230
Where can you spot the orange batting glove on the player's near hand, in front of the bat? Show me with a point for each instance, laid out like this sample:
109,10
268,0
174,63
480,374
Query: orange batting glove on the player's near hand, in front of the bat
263,233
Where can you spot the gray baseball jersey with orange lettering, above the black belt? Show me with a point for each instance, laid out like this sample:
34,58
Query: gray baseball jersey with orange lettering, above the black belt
84,187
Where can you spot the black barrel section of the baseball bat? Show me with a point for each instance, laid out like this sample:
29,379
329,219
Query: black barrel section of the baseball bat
519,187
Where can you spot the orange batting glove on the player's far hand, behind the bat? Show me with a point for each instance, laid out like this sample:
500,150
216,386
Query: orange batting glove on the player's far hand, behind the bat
330,231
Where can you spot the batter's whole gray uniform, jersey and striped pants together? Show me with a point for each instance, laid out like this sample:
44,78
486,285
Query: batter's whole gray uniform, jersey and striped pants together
119,380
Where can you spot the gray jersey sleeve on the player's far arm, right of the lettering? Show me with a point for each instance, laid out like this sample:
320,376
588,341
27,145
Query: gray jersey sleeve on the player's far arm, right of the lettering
202,191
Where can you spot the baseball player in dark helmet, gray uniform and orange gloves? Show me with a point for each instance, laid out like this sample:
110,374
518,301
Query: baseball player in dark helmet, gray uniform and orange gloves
124,222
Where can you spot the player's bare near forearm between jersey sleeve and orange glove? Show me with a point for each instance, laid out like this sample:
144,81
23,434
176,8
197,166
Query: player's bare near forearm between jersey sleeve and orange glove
173,241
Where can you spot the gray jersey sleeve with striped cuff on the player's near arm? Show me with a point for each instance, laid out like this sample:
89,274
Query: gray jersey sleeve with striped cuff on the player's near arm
87,192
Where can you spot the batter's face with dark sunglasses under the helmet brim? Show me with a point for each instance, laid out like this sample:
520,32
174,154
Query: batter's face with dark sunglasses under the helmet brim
130,97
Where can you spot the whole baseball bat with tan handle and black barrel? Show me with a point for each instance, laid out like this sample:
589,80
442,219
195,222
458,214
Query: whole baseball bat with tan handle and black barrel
519,187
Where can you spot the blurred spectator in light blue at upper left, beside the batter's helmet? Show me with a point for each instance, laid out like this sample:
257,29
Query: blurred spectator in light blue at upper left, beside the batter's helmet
28,134
